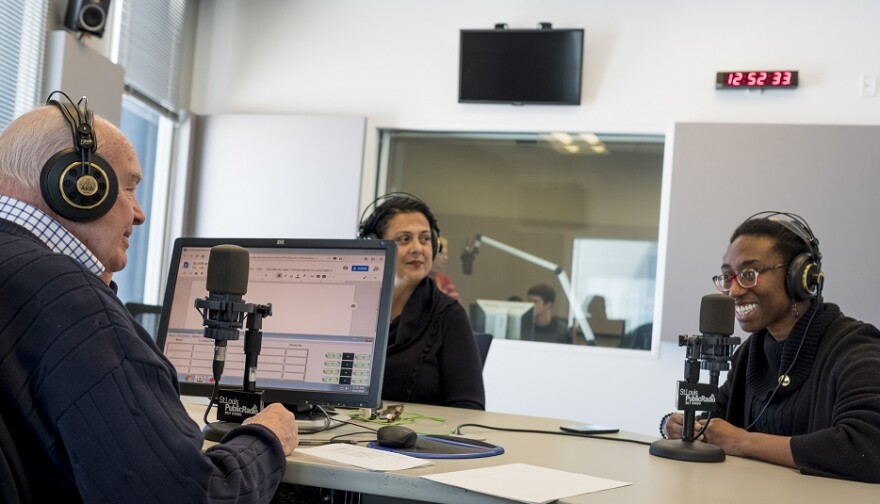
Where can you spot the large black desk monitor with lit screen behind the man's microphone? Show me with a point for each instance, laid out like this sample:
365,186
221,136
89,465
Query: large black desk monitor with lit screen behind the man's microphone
325,341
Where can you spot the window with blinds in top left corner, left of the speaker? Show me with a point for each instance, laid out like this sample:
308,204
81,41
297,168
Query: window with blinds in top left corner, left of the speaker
22,33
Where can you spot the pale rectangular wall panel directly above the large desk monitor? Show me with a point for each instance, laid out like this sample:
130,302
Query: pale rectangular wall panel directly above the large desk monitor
277,176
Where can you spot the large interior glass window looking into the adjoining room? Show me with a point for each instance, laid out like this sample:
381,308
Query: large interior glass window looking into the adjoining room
587,203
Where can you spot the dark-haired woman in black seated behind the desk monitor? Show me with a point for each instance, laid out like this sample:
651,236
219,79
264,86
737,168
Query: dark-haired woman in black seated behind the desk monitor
432,355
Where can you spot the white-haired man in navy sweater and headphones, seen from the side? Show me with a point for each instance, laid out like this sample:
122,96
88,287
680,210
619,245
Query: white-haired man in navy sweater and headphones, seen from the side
93,407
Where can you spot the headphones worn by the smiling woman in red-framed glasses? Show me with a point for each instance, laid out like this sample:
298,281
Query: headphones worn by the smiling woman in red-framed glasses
804,278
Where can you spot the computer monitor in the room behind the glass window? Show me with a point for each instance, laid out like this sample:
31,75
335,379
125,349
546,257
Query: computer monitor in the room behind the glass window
504,319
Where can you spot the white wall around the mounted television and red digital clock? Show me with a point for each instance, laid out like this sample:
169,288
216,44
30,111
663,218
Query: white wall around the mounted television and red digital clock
648,64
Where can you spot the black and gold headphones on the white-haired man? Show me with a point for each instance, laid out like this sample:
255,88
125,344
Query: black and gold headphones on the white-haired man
77,183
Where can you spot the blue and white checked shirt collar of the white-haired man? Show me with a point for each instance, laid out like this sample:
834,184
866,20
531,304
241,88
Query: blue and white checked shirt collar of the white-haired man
50,231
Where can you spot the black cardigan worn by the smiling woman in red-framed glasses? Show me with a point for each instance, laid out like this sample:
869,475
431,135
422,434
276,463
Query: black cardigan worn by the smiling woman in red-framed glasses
834,395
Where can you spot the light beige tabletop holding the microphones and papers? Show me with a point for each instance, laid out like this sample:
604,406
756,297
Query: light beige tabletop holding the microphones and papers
653,479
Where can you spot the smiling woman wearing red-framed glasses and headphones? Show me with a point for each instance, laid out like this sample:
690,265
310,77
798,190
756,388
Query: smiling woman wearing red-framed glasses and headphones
804,389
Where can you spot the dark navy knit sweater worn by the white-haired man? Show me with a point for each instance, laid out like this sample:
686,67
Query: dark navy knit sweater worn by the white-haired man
92,404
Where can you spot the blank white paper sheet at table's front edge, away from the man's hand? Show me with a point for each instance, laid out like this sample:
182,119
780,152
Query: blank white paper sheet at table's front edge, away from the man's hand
525,483
